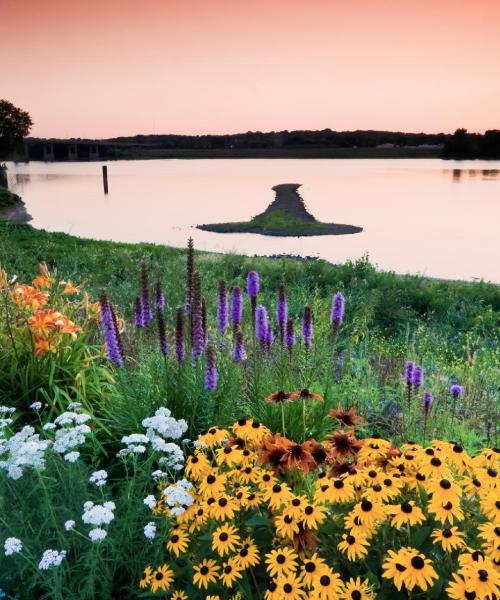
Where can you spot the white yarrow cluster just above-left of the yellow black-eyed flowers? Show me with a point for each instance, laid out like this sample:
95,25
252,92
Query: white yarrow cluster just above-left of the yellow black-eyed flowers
159,429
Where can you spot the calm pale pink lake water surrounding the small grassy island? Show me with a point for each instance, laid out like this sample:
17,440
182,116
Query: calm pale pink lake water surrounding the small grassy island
428,216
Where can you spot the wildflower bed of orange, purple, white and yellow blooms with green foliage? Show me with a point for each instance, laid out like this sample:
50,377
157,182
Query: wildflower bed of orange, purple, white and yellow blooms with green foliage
242,435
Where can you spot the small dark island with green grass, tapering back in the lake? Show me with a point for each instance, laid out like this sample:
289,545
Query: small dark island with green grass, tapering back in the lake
285,216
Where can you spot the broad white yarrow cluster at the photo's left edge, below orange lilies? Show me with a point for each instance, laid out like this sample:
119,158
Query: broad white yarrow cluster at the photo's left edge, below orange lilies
24,449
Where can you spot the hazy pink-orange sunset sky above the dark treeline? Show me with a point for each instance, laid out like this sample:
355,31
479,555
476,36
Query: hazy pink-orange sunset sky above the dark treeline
101,68
